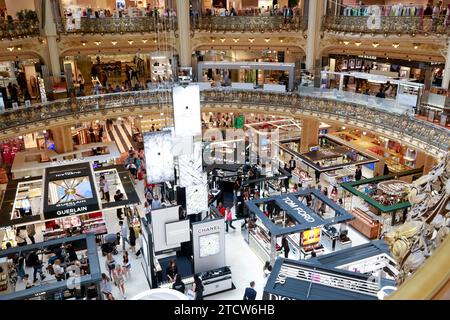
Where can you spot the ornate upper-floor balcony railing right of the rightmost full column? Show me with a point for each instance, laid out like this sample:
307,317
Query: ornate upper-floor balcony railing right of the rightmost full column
385,25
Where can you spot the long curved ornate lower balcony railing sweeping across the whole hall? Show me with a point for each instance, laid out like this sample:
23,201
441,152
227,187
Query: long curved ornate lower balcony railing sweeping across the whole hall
402,126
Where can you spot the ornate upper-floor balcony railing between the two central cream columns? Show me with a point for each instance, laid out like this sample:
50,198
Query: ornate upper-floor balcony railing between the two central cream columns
248,24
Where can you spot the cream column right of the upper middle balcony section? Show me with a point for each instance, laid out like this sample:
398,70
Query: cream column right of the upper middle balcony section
314,18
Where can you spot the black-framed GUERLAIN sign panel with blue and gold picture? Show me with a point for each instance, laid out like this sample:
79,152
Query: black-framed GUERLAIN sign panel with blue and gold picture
69,190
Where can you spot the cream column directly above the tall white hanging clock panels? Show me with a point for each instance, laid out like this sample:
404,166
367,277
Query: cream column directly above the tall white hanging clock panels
184,28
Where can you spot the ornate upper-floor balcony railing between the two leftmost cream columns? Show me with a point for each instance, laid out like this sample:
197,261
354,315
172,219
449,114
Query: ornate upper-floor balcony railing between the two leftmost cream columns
122,25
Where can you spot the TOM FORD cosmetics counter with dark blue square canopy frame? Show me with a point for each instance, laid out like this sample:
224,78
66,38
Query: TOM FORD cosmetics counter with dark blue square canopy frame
285,215
